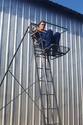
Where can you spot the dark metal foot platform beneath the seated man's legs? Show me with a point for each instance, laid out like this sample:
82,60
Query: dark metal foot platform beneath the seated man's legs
54,51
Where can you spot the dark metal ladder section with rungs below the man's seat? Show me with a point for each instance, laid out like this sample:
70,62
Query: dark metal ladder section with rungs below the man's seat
49,106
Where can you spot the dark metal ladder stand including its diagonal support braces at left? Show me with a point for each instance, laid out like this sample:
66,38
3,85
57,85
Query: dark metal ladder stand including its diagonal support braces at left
49,106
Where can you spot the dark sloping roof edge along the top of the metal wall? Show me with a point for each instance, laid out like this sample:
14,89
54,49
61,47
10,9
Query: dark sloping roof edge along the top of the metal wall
59,8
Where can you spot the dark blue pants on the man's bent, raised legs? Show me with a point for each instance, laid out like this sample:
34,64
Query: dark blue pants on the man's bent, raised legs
50,38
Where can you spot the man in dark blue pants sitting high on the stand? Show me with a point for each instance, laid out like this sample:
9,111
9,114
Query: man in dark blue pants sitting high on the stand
47,36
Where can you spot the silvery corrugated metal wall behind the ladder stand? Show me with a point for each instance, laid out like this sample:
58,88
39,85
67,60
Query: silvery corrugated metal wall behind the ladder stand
67,70
